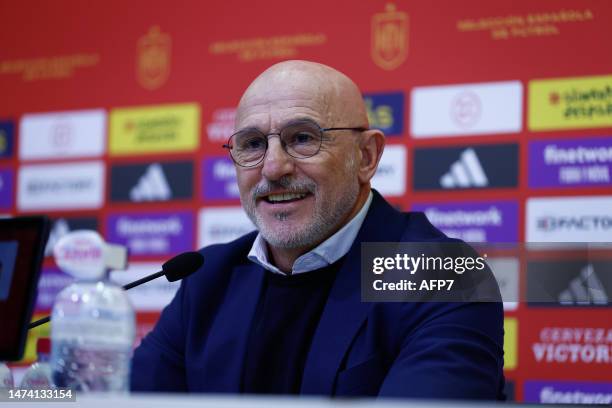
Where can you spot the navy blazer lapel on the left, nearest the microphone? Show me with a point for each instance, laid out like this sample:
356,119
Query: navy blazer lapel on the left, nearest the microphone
226,345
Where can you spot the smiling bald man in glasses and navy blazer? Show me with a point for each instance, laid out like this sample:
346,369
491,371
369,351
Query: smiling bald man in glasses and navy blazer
279,310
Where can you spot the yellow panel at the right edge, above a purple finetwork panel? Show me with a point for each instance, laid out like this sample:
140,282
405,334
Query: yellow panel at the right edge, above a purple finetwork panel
570,103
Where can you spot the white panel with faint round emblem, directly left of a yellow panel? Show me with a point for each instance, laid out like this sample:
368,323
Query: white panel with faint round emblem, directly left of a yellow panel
62,135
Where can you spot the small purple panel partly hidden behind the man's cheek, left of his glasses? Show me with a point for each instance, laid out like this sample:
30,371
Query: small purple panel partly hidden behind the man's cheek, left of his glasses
219,178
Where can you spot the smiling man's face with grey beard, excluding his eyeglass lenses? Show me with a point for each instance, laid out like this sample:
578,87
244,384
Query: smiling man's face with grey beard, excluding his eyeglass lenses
297,203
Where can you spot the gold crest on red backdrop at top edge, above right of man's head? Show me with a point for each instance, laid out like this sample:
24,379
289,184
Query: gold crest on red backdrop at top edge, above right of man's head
389,38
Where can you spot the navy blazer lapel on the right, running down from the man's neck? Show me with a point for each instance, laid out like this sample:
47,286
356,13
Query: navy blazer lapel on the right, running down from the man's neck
344,312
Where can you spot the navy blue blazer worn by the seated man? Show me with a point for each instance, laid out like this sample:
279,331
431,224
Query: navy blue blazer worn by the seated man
419,350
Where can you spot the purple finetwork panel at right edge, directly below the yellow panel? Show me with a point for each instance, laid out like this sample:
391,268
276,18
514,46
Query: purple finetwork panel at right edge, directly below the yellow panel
570,163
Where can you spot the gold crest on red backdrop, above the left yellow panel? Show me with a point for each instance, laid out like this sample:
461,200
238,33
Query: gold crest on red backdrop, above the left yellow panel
153,64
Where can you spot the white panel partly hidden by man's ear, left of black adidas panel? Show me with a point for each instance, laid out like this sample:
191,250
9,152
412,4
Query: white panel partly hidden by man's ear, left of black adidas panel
390,176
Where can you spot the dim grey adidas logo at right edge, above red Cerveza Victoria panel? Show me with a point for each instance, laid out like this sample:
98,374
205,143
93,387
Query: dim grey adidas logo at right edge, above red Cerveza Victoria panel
584,289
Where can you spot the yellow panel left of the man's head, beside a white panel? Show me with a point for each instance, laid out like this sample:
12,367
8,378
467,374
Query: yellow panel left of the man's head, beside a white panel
155,129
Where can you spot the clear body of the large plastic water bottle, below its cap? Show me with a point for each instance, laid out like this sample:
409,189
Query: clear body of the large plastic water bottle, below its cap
92,333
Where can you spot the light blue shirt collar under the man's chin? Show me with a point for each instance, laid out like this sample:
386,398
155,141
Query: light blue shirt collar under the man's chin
328,251
